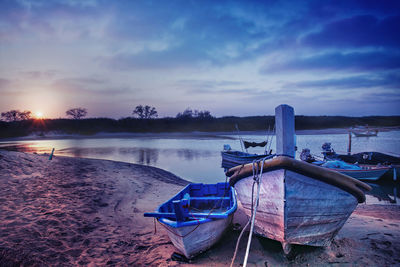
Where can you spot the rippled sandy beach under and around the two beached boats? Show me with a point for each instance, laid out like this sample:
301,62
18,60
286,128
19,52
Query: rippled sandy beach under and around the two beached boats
72,211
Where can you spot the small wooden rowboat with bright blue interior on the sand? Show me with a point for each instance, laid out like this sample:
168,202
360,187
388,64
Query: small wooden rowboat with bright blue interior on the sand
197,217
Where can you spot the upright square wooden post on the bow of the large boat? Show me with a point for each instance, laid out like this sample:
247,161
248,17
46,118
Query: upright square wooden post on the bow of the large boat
285,134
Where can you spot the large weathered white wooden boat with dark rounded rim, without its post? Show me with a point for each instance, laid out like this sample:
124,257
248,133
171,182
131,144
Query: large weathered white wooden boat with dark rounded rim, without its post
299,203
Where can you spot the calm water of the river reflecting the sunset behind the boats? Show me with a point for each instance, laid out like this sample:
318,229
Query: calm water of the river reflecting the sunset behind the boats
199,160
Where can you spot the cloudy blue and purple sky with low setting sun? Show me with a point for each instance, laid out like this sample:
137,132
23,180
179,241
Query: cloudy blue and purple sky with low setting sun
239,58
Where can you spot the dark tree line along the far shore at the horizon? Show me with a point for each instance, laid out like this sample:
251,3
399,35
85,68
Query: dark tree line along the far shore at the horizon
88,126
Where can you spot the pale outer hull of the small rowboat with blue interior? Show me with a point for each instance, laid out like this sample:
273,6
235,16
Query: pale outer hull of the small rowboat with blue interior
192,242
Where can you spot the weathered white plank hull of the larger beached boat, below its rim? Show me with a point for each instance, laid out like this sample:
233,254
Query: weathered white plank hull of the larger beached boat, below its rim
297,209
